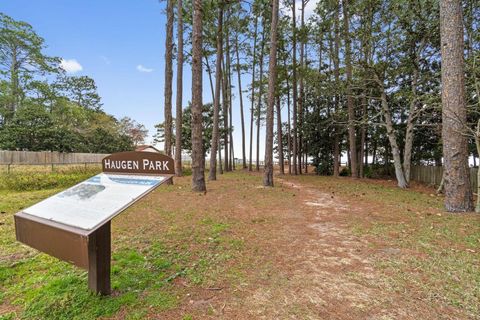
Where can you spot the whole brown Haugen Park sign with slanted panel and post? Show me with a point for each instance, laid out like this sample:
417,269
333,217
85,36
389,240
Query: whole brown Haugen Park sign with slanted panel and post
74,225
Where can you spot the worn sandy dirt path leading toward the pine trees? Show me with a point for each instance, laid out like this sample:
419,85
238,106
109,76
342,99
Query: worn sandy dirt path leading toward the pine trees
322,259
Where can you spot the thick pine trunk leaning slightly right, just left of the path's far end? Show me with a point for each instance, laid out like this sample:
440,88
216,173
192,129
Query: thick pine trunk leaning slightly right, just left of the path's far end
272,80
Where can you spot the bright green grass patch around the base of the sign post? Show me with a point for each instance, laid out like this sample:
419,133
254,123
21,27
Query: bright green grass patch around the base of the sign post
46,288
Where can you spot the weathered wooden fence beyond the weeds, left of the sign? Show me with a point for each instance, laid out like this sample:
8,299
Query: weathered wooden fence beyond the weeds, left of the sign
47,157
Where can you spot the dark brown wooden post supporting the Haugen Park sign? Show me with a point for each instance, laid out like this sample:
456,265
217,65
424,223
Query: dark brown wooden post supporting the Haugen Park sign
99,252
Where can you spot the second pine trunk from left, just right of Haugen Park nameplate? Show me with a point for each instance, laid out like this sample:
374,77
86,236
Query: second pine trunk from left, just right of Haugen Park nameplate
178,113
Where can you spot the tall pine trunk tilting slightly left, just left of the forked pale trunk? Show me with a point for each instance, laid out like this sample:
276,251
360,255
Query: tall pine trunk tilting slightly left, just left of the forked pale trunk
350,106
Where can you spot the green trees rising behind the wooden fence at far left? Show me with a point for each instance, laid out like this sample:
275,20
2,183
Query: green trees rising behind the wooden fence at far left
42,108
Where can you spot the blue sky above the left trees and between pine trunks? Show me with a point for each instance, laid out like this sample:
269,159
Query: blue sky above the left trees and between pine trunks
120,44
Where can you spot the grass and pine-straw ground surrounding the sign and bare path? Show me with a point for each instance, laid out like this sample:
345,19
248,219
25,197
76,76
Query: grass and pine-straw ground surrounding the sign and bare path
180,255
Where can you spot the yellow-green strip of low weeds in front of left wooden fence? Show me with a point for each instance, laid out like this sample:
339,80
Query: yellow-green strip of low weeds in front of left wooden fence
26,181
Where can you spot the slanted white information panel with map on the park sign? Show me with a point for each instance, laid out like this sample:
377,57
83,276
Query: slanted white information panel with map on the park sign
89,203
